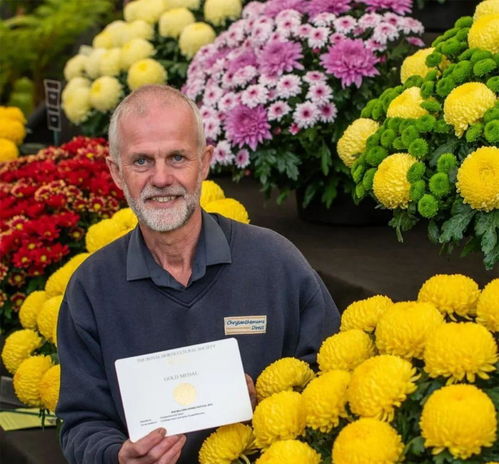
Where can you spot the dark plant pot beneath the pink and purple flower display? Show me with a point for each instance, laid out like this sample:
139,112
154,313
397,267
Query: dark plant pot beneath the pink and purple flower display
343,211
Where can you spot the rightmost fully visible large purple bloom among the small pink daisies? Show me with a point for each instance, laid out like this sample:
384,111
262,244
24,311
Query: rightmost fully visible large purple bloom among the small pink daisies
350,61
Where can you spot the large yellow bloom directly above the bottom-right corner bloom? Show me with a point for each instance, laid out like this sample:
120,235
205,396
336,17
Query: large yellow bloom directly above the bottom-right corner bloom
460,350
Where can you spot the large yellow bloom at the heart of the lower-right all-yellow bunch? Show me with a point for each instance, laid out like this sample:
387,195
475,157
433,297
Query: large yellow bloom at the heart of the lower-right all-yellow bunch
379,385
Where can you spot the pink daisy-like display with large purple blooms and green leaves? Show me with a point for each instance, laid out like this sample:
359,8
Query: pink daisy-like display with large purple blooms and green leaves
272,85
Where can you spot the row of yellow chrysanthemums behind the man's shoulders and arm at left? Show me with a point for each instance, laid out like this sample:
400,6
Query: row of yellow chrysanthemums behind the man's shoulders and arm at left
29,354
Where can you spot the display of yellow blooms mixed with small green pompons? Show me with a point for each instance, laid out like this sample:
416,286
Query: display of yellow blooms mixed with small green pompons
428,148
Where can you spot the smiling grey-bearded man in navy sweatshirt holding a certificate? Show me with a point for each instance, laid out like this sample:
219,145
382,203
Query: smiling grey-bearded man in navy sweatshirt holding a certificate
171,282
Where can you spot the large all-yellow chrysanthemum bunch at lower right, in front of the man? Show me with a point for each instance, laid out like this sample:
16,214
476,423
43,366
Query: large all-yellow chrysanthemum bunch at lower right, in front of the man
409,381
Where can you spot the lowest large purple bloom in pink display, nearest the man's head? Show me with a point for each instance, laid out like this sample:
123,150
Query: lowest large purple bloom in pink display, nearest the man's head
247,126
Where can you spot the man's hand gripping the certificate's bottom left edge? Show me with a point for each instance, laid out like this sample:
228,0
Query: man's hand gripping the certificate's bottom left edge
154,448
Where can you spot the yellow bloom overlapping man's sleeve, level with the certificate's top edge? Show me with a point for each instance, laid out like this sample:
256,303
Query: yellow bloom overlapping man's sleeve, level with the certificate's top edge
345,350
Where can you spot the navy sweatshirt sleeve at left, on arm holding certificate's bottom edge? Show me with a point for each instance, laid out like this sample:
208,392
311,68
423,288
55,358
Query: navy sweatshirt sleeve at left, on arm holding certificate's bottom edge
90,432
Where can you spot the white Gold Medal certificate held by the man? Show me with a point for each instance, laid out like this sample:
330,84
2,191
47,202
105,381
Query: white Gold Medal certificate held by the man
191,388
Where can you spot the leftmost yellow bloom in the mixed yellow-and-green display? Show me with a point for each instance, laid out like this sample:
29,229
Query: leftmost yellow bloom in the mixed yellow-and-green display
353,141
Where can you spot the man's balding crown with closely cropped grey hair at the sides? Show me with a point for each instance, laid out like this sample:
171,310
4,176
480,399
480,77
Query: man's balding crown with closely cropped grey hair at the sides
139,103
